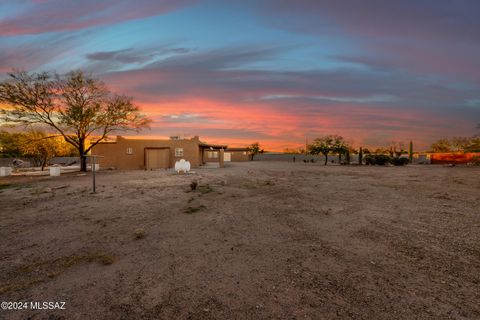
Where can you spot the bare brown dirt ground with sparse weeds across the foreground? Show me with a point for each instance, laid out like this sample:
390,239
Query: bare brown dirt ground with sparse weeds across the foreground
255,240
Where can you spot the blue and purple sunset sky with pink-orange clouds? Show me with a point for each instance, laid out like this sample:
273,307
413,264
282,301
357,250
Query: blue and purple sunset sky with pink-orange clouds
273,71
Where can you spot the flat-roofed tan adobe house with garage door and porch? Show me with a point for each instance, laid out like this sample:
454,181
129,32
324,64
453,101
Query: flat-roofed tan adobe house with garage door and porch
150,154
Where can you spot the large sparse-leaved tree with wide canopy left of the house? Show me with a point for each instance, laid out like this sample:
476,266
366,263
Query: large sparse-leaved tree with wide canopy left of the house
77,106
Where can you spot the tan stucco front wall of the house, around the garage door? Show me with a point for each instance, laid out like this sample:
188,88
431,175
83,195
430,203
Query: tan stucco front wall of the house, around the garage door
115,154
